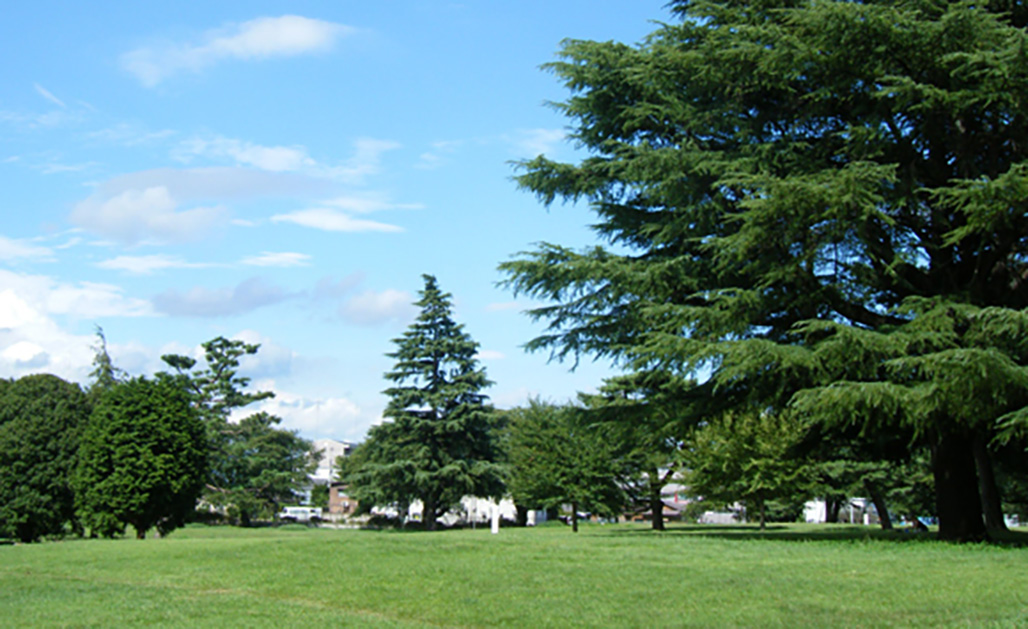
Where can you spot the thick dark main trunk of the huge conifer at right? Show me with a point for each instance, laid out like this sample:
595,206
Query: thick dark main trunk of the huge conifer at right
958,500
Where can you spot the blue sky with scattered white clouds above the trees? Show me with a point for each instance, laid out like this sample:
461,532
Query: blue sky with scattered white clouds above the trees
282,173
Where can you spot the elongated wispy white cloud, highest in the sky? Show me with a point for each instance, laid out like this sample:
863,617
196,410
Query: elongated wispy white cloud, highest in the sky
261,39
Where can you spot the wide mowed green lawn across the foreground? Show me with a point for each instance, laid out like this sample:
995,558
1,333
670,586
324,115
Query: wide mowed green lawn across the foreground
614,576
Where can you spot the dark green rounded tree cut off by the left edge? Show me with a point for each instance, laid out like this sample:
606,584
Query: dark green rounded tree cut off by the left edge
42,420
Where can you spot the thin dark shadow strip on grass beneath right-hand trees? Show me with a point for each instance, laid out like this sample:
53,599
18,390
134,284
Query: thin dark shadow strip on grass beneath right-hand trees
823,533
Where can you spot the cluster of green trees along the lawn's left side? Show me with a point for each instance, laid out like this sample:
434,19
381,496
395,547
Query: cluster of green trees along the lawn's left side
142,453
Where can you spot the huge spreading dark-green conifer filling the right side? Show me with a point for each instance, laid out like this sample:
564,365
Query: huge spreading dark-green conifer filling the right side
796,195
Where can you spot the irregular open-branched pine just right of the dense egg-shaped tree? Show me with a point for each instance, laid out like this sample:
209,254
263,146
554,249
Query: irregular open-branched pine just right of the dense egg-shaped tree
254,466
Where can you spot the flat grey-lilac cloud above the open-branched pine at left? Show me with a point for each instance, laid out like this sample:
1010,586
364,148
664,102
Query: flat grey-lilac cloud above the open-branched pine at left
248,295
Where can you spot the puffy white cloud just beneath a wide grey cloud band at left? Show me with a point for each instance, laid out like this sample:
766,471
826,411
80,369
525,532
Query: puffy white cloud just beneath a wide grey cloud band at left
145,214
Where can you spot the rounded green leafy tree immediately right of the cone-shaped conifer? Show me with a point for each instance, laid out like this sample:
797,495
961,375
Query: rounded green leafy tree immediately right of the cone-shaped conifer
555,458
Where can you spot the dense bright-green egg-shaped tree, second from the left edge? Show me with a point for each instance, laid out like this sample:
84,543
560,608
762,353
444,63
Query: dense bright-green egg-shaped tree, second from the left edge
142,460
